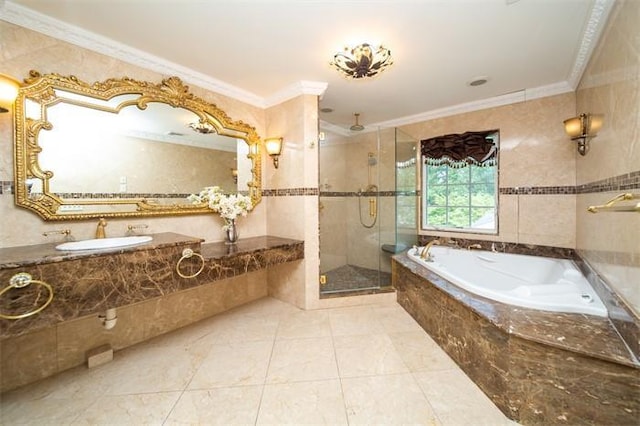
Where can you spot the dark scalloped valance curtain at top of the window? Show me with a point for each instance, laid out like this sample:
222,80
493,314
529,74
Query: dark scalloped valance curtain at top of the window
461,150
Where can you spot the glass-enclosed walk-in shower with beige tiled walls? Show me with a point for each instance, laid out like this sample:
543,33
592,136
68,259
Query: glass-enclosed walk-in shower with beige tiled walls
358,197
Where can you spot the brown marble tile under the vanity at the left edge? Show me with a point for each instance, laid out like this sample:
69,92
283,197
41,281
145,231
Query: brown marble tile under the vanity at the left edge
27,358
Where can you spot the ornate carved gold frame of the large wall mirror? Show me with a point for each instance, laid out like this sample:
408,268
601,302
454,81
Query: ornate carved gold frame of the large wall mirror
41,92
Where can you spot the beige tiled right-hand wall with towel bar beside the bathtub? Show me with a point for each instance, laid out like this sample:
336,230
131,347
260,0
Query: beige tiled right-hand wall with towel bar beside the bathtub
610,242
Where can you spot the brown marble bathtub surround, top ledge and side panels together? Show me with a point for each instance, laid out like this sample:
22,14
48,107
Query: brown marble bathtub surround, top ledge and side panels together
538,367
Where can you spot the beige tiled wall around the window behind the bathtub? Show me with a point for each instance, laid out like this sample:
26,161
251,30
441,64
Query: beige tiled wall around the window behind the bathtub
536,168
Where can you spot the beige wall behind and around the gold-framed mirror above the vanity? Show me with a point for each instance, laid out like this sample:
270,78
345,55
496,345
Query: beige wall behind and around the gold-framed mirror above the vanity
23,50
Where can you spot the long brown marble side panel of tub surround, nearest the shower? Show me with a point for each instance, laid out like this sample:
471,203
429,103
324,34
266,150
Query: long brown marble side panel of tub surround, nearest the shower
474,343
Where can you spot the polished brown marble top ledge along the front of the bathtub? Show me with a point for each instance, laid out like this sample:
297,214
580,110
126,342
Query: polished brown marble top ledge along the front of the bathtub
583,334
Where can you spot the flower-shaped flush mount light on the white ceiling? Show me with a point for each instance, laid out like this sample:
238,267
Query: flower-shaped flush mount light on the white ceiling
362,61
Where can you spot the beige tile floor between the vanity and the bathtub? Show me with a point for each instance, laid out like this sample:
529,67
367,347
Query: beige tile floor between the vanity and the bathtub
267,363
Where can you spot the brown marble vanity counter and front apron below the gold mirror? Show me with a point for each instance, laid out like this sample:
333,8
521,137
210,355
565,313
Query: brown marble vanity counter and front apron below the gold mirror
88,282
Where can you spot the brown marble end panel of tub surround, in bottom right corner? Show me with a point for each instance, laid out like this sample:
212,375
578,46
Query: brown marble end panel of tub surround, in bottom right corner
583,390
